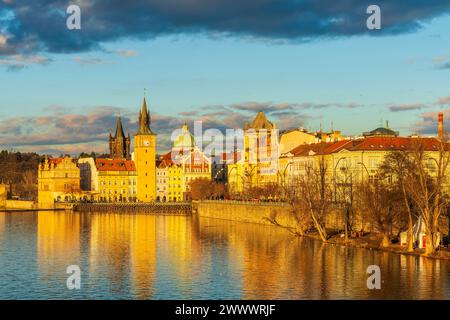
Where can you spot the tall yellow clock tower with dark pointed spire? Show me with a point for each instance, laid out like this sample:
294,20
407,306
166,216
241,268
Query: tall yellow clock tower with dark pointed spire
145,157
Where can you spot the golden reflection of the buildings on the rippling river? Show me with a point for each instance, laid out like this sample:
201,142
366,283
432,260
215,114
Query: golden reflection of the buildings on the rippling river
131,252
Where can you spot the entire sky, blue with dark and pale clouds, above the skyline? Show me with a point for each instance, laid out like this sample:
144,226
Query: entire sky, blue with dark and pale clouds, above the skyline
304,63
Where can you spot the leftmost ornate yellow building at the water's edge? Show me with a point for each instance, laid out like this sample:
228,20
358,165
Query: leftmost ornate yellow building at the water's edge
58,180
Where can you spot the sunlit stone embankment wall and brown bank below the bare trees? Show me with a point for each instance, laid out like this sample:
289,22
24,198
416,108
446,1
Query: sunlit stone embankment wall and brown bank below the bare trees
279,214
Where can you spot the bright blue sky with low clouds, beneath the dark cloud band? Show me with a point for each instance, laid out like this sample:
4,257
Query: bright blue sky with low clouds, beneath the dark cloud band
53,101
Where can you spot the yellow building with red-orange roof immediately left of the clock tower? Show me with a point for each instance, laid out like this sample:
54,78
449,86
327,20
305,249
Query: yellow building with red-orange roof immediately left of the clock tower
117,180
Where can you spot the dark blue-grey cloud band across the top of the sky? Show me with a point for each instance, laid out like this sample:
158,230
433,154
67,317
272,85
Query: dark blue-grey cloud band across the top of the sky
40,25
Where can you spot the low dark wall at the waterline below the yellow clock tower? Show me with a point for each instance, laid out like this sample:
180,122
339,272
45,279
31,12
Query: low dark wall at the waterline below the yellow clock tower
156,208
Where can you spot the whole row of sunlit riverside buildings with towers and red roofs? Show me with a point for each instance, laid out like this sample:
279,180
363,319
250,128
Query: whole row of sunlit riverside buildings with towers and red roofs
265,158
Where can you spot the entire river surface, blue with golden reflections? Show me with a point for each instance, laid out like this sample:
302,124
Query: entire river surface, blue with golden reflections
172,257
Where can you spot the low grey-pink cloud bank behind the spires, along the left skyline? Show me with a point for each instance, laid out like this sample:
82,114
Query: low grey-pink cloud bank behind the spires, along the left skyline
63,130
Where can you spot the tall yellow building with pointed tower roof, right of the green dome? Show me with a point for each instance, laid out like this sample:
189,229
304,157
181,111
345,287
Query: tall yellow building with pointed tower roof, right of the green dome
258,164
